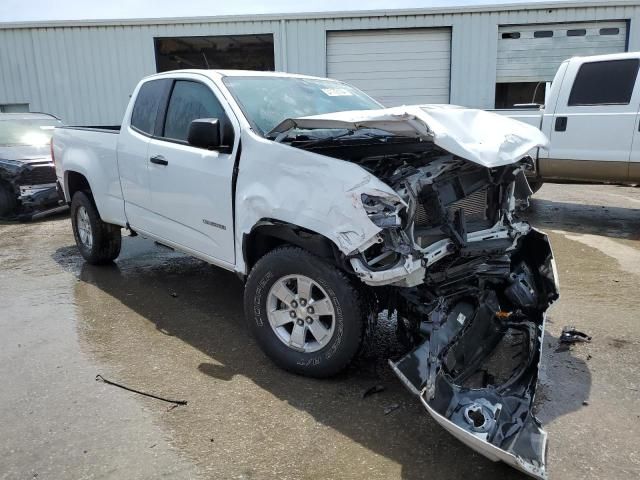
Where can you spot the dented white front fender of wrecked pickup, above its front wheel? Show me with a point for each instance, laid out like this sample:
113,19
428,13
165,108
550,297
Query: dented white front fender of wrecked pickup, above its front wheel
320,193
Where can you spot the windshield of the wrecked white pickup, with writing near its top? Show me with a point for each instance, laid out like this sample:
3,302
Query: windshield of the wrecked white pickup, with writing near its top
267,101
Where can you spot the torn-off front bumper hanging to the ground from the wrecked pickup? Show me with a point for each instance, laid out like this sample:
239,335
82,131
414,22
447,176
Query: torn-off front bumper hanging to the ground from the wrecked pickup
476,370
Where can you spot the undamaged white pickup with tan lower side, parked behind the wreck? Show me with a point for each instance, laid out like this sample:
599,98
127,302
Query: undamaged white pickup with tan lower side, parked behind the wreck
592,119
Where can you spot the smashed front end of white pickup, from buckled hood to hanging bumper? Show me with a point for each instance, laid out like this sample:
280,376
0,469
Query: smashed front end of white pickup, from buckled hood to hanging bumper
470,282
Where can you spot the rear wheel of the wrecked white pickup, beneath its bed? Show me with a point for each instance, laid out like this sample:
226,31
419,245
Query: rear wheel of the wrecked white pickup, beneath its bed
100,244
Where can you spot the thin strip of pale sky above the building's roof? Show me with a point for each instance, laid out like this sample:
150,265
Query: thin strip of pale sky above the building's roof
31,10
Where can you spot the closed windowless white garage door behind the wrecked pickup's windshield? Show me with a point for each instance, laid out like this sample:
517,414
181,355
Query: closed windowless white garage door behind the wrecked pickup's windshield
396,67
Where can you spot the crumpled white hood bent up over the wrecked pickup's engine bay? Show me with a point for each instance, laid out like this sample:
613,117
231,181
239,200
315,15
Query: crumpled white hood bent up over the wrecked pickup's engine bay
481,137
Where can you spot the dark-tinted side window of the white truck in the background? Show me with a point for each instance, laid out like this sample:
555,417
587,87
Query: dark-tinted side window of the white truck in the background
608,82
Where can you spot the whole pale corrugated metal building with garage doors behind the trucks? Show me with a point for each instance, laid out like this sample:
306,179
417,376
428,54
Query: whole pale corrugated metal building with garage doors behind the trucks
485,57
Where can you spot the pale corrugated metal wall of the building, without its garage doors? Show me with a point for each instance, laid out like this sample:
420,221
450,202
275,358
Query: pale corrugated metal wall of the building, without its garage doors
85,72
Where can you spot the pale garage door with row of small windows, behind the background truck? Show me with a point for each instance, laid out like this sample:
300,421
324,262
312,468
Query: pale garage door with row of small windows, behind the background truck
532,53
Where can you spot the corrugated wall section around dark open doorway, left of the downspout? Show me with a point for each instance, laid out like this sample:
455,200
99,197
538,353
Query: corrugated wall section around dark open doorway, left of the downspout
85,75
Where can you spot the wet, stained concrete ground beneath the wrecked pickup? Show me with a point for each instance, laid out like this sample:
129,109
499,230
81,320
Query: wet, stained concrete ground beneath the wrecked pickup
168,324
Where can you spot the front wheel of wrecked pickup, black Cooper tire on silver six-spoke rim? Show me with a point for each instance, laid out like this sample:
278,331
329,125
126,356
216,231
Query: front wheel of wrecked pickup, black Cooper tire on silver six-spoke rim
331,289
